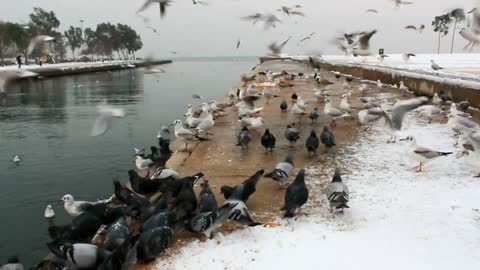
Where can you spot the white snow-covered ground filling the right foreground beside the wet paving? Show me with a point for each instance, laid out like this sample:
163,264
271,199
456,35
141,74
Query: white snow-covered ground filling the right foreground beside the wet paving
399,219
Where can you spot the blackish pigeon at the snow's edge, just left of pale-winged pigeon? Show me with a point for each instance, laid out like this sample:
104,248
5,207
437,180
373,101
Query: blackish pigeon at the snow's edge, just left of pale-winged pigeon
296,195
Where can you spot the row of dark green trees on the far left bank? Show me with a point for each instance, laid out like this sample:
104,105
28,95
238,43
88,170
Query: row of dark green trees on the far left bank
101,42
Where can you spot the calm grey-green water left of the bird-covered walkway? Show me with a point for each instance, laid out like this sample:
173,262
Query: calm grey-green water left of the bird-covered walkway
47,123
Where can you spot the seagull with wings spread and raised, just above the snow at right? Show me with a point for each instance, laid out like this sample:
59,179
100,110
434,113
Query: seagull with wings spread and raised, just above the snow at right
400,109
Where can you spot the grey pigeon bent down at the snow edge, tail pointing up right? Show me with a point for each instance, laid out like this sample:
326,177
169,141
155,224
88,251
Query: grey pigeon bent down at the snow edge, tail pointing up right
207,222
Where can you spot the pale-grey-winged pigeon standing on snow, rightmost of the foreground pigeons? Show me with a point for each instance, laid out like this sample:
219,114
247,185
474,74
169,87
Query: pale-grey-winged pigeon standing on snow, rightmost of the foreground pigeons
337,193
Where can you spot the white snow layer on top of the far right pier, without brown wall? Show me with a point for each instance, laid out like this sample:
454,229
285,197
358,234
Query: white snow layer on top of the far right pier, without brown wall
459,69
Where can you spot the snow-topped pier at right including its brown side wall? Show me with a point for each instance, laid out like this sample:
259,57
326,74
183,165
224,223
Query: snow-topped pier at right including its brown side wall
459,78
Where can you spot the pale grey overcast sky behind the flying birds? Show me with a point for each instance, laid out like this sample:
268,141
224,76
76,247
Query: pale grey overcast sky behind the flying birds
195,30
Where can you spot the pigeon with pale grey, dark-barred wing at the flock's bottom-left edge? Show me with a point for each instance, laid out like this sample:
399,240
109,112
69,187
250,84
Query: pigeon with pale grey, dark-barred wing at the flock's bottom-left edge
82,256
